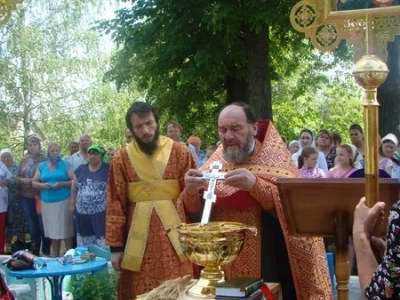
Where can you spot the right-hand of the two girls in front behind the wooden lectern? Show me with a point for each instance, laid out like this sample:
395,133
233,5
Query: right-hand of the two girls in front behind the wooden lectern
344,163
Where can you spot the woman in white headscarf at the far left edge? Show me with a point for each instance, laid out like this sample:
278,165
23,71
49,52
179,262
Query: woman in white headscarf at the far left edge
19,227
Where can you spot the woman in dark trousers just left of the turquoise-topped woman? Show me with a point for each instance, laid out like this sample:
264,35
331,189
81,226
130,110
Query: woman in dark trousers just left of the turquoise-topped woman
24,177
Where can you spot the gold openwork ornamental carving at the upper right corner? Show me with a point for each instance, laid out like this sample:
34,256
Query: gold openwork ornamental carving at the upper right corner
326,26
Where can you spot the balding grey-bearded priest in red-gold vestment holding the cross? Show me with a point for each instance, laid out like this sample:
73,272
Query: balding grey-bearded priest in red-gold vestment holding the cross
253,158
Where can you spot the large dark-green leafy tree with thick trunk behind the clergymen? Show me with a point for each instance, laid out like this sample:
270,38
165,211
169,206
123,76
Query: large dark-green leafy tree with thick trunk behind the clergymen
200,55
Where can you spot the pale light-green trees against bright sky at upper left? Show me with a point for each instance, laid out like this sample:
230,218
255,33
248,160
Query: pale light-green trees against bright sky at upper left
51,70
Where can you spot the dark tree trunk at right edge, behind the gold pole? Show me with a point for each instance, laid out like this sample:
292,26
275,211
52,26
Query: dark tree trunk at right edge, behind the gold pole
389,92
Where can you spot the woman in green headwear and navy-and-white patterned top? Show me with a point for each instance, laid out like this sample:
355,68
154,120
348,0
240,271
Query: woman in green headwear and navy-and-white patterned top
89,198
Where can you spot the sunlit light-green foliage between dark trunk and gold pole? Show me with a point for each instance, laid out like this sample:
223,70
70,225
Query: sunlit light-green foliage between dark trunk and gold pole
333,102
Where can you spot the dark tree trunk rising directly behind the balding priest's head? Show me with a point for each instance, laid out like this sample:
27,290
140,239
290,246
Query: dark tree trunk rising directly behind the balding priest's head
255,90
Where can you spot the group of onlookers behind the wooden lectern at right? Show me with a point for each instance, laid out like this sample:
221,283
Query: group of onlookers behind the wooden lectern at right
327,157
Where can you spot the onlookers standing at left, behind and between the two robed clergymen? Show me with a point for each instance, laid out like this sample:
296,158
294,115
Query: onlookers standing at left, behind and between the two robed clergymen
46,199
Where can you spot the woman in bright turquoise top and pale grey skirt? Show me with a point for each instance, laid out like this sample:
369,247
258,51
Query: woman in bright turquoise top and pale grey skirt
53,178
